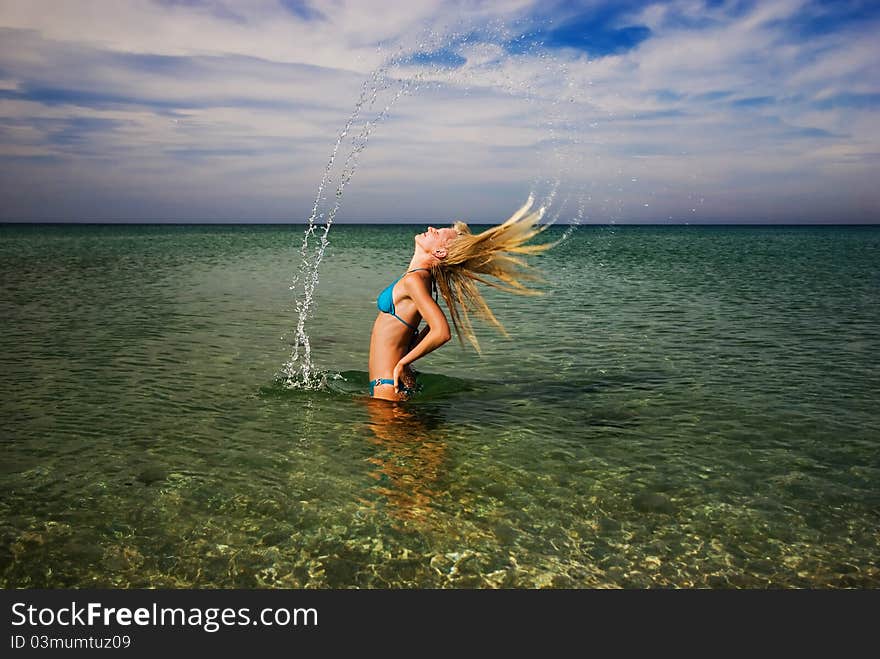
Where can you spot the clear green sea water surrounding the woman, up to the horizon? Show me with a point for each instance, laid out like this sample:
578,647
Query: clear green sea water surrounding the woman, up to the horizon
687,406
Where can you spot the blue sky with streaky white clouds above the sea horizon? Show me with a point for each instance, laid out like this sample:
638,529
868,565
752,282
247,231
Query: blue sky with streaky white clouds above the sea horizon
431,110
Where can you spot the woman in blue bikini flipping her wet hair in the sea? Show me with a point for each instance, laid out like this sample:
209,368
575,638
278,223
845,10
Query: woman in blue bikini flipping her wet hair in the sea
449,260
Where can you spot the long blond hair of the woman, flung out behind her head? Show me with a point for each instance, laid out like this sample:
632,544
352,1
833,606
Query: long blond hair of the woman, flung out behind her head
472,257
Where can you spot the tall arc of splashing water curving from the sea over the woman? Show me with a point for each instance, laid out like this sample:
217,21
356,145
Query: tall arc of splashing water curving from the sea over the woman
383,88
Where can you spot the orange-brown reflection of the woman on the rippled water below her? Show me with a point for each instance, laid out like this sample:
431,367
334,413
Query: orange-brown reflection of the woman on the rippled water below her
410,461
